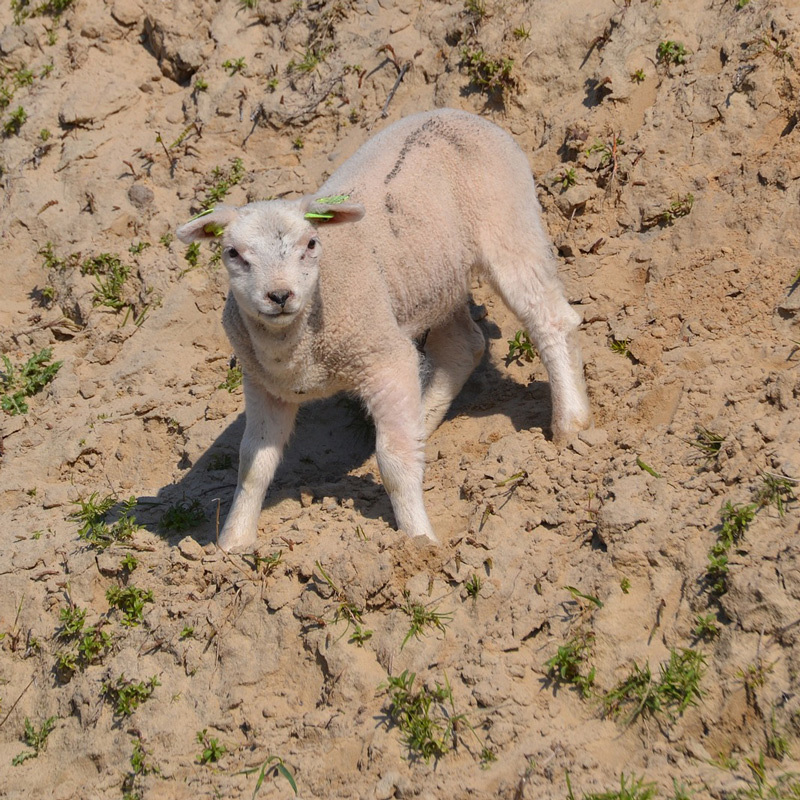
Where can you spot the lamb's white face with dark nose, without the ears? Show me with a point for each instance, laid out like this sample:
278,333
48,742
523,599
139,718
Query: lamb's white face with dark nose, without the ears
272,256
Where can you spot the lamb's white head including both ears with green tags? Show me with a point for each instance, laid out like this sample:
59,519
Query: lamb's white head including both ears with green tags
272,250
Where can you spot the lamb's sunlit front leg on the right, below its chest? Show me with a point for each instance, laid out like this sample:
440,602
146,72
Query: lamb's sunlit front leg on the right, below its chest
394,399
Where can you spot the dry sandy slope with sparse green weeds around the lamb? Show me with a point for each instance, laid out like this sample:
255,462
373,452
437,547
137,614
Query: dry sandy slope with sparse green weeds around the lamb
670,180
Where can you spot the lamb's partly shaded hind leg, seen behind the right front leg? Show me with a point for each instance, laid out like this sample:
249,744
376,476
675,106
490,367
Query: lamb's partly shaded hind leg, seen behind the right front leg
454,350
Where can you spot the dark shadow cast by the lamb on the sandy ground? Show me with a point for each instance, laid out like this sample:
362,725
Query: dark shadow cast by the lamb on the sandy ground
332,438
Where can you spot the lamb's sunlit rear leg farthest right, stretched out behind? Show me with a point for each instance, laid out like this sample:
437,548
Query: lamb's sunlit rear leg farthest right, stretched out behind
534,293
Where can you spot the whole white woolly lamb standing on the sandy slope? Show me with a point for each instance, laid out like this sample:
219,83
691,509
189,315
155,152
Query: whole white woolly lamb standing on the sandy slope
319,304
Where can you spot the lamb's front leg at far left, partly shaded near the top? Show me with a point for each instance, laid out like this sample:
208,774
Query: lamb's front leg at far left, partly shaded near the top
269,423
